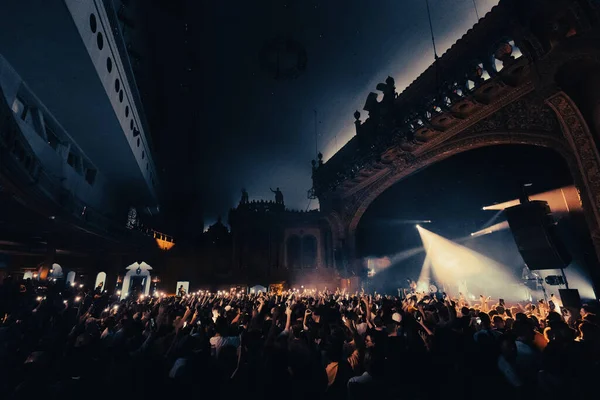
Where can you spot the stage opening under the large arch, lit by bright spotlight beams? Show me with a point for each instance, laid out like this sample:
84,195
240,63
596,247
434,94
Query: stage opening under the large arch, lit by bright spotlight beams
467,245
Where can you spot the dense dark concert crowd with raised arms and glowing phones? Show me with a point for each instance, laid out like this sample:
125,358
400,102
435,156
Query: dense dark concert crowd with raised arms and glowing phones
62,342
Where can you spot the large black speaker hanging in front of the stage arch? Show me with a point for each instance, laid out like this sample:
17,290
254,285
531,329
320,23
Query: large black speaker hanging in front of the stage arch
534,232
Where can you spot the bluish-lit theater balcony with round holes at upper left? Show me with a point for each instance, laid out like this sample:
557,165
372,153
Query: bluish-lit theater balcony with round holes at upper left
73,135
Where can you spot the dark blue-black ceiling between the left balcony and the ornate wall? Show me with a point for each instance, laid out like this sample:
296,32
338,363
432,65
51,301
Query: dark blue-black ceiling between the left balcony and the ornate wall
222,122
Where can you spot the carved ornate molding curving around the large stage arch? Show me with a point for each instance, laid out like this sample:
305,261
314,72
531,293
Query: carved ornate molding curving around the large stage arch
570,137
